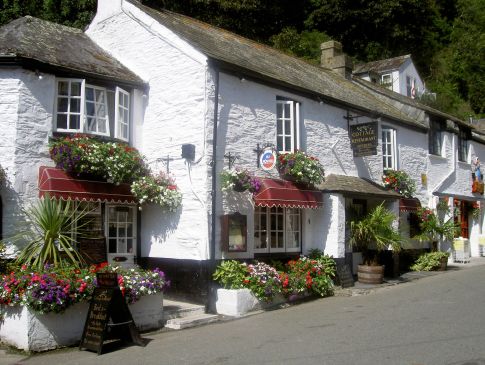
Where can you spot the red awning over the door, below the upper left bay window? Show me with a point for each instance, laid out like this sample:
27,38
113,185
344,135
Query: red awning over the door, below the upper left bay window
59,184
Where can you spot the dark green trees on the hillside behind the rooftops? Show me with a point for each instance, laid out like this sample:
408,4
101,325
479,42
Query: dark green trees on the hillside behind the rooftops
446,38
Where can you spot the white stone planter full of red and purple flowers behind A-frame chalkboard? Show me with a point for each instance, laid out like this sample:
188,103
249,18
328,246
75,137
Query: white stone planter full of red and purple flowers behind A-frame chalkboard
46,310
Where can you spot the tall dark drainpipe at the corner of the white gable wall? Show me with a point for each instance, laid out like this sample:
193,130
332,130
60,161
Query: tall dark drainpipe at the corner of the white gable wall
210,305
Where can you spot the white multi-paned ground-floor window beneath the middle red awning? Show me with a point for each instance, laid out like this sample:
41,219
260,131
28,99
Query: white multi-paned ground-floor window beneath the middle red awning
284,232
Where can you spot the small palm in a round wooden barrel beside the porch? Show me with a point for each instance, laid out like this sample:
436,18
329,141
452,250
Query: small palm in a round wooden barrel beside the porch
372,234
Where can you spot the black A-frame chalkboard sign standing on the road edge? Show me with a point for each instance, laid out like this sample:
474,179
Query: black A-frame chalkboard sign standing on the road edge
108,304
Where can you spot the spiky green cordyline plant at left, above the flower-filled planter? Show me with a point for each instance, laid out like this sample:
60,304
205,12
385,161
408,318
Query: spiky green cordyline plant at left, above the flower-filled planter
49,238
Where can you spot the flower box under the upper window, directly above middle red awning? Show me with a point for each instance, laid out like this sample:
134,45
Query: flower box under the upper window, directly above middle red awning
300,168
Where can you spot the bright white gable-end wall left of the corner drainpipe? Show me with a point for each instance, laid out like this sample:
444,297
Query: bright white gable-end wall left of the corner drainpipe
175,113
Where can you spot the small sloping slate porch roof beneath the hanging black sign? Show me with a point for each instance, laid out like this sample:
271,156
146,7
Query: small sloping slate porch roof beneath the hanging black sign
353,185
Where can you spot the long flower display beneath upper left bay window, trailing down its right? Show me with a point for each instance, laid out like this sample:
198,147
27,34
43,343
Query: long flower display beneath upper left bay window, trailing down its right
90,158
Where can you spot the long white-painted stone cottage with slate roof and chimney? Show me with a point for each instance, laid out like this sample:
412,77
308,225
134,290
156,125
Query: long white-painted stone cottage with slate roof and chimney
197,88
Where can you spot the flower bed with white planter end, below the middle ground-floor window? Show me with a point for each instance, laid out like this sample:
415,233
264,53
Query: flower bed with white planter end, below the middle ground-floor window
254,286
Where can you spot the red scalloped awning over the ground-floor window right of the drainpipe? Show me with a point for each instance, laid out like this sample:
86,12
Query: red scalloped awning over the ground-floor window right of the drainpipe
281,193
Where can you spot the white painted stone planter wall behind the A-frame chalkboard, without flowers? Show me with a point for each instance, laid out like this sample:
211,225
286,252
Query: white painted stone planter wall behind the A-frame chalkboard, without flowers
26,330
